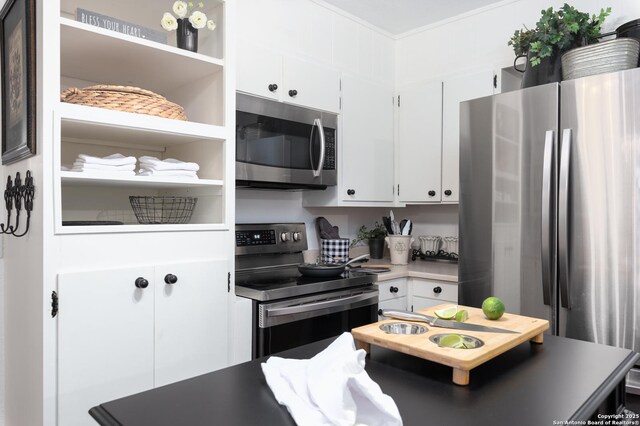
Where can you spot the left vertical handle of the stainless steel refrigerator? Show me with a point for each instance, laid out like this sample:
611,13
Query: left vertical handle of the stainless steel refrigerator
547,205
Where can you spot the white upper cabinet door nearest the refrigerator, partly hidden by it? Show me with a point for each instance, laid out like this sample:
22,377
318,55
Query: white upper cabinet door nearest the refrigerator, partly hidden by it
457,90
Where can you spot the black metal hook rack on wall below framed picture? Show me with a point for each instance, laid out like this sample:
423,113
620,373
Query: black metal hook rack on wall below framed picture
16,194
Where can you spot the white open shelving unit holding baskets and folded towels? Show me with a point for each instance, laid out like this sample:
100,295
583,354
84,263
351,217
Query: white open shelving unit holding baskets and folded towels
91,55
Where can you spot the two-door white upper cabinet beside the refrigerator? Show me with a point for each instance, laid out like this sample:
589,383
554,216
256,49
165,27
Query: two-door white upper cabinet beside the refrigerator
429,137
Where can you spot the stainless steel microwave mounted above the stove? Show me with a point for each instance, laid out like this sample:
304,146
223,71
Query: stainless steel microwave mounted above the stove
284,146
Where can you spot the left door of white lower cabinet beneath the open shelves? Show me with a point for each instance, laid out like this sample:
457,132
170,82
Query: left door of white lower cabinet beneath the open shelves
105,339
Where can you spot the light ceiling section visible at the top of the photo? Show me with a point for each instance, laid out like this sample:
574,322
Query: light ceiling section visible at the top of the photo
400,16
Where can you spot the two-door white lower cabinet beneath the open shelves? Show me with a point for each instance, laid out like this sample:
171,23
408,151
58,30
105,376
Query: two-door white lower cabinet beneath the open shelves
122,331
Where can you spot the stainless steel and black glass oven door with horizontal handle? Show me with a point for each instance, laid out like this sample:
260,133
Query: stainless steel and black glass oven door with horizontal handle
294,322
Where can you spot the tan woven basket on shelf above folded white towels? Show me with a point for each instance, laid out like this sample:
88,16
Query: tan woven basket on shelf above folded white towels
124,98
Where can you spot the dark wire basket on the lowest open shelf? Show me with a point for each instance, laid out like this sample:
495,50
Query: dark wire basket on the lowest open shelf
162,209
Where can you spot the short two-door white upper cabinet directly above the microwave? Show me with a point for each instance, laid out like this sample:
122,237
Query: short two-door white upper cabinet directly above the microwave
287,79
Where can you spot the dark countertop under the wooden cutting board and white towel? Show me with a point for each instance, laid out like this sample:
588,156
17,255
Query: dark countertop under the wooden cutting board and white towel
562,379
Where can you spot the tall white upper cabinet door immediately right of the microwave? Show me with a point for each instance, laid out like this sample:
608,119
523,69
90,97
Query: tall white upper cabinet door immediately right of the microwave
367,141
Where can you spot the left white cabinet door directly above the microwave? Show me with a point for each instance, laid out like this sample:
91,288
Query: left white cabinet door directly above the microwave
259,71
